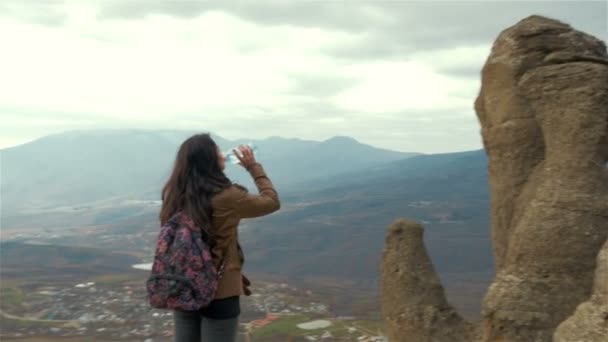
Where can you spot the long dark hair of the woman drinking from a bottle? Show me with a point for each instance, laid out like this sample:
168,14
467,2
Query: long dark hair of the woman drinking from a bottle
196,177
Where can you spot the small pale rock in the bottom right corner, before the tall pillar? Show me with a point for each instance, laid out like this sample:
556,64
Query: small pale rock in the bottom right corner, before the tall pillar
590,321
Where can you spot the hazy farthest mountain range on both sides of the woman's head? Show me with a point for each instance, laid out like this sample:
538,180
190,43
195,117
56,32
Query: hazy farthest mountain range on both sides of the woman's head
84,167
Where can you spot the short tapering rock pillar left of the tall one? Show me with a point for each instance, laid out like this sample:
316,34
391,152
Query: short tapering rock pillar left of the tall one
416,305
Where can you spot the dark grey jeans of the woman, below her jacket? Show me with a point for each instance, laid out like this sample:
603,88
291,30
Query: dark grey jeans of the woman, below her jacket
192,327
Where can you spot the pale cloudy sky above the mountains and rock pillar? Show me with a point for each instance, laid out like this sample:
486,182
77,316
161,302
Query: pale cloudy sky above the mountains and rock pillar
395,74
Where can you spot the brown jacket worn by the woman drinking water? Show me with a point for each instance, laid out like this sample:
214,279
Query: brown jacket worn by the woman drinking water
229,207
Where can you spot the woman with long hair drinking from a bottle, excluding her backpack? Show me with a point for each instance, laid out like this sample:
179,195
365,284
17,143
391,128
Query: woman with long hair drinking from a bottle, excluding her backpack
200,188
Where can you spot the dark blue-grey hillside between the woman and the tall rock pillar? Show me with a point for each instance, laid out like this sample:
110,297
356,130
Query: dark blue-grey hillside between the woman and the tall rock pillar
337,233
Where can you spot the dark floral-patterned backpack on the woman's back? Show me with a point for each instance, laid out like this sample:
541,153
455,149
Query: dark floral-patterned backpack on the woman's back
183,275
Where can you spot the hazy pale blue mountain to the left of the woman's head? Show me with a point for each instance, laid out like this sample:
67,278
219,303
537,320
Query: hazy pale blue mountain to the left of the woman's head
80,167
